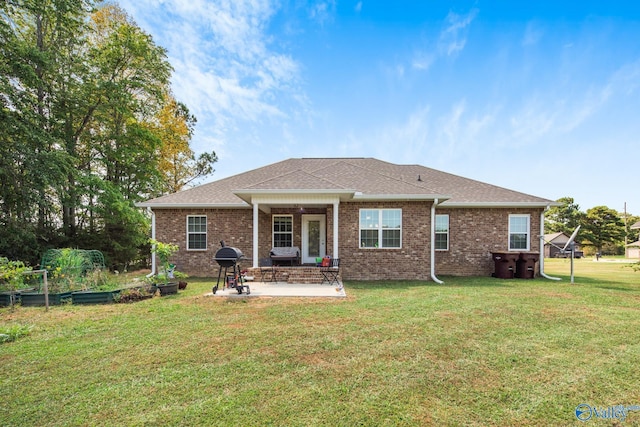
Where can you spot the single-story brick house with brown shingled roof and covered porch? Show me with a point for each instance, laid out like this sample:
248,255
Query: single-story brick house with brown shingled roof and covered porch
384,221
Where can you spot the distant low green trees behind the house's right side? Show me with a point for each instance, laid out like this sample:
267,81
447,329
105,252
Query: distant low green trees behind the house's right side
602,229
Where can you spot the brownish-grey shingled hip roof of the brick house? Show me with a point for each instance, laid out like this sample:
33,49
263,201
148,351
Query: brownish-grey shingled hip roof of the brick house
351,178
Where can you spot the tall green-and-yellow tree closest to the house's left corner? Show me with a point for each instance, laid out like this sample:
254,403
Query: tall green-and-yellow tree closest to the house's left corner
131,74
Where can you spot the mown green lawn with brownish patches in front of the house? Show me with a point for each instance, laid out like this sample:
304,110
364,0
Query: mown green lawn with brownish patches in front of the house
474,351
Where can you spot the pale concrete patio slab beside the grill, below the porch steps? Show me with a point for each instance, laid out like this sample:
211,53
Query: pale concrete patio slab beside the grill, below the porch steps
283,289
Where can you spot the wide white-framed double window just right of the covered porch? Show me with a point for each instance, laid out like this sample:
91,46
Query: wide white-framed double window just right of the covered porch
380,228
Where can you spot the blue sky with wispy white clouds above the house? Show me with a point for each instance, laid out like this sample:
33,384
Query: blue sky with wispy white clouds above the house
541,97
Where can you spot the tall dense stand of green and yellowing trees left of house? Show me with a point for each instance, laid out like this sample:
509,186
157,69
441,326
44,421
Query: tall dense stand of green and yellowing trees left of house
89,127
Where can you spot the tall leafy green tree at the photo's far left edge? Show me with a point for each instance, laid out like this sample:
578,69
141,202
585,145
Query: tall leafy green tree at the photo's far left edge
38,69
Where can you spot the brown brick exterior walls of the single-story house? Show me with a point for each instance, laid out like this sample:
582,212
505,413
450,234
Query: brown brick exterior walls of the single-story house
474,234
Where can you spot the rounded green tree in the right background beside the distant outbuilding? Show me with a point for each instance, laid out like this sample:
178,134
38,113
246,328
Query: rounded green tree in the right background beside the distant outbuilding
601,226
